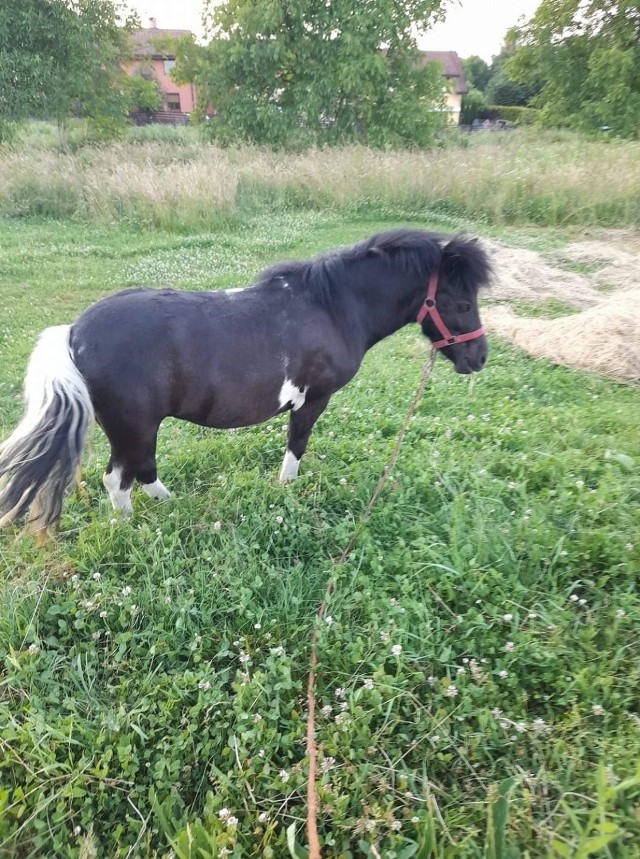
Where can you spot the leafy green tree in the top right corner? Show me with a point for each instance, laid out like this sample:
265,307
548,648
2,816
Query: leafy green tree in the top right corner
587,52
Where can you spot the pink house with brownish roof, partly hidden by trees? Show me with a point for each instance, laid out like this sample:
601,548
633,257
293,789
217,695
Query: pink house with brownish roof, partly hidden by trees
151,57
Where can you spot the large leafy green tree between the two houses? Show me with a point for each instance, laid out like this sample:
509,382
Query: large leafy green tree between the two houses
294,72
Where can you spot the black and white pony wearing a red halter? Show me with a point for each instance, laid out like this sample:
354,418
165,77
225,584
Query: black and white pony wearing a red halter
229,359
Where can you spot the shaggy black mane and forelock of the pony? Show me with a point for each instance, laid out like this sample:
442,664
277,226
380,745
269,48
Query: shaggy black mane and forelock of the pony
463,261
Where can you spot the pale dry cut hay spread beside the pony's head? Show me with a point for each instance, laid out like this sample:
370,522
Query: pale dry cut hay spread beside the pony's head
603,338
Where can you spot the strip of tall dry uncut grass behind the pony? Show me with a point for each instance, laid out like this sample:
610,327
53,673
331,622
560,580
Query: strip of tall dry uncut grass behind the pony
520,177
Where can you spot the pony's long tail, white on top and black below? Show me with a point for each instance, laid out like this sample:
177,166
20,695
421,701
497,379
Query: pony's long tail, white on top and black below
39,459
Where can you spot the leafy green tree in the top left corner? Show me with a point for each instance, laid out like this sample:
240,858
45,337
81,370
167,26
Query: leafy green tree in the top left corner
58,57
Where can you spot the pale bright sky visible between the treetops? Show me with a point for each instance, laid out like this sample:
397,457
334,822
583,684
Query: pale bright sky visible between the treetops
471,27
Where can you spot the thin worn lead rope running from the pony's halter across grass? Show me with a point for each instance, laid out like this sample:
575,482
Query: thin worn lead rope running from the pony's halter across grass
312,796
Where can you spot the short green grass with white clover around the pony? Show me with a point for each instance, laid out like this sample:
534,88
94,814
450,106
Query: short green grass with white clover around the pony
479,666
